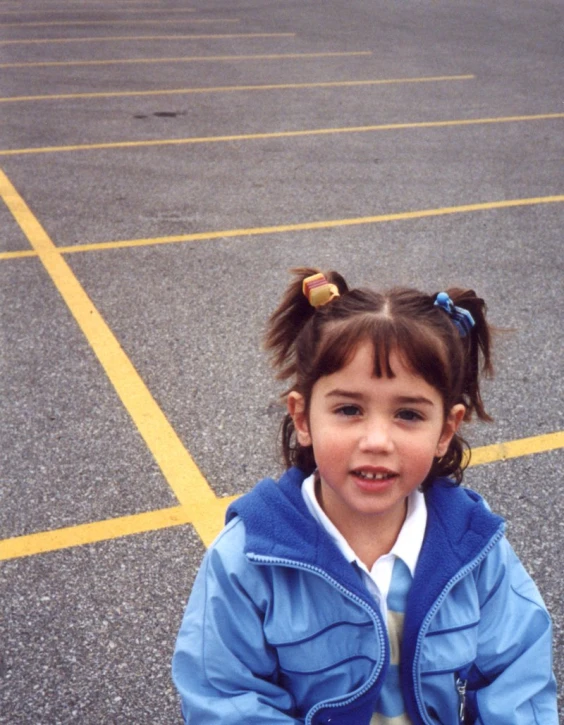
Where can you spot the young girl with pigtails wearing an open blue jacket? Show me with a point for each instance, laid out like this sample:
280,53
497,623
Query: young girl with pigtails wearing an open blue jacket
365,586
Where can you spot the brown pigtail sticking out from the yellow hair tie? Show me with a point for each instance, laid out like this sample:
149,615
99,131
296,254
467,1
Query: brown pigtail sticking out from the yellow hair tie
290,317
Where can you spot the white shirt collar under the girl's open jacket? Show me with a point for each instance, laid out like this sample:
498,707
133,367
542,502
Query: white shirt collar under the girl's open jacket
407,546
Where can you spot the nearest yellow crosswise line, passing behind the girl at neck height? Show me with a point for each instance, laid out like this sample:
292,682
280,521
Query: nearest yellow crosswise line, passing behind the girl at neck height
211,515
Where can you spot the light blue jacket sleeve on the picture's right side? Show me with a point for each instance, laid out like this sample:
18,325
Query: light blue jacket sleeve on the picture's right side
514,663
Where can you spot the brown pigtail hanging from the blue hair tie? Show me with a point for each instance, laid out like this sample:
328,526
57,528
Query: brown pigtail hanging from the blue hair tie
477,345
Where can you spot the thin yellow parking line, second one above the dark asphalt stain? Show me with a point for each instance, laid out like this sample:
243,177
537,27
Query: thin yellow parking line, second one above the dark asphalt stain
188,59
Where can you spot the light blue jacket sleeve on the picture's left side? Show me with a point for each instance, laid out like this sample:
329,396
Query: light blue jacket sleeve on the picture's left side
223,669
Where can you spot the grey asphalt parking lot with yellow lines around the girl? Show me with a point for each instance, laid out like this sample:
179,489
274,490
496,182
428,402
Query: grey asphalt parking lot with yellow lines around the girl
162,166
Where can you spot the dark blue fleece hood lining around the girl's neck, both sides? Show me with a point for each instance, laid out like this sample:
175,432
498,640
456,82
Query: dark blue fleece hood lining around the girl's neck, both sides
278,524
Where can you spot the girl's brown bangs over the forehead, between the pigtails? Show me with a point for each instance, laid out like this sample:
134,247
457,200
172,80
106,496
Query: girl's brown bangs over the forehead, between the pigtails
410,339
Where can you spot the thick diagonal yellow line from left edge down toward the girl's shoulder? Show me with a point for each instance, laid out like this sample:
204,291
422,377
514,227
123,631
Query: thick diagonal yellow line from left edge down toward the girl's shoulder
177,466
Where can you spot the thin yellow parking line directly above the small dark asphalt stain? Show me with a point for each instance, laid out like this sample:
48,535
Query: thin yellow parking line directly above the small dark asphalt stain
232,89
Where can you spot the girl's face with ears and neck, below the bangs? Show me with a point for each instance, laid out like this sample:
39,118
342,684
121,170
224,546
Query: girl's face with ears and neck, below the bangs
374,439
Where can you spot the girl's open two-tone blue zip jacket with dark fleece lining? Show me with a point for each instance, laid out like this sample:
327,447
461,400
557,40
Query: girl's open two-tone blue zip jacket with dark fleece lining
280,628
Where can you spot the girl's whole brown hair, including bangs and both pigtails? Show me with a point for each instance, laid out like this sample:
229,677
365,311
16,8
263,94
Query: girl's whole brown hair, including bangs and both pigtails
307,343
